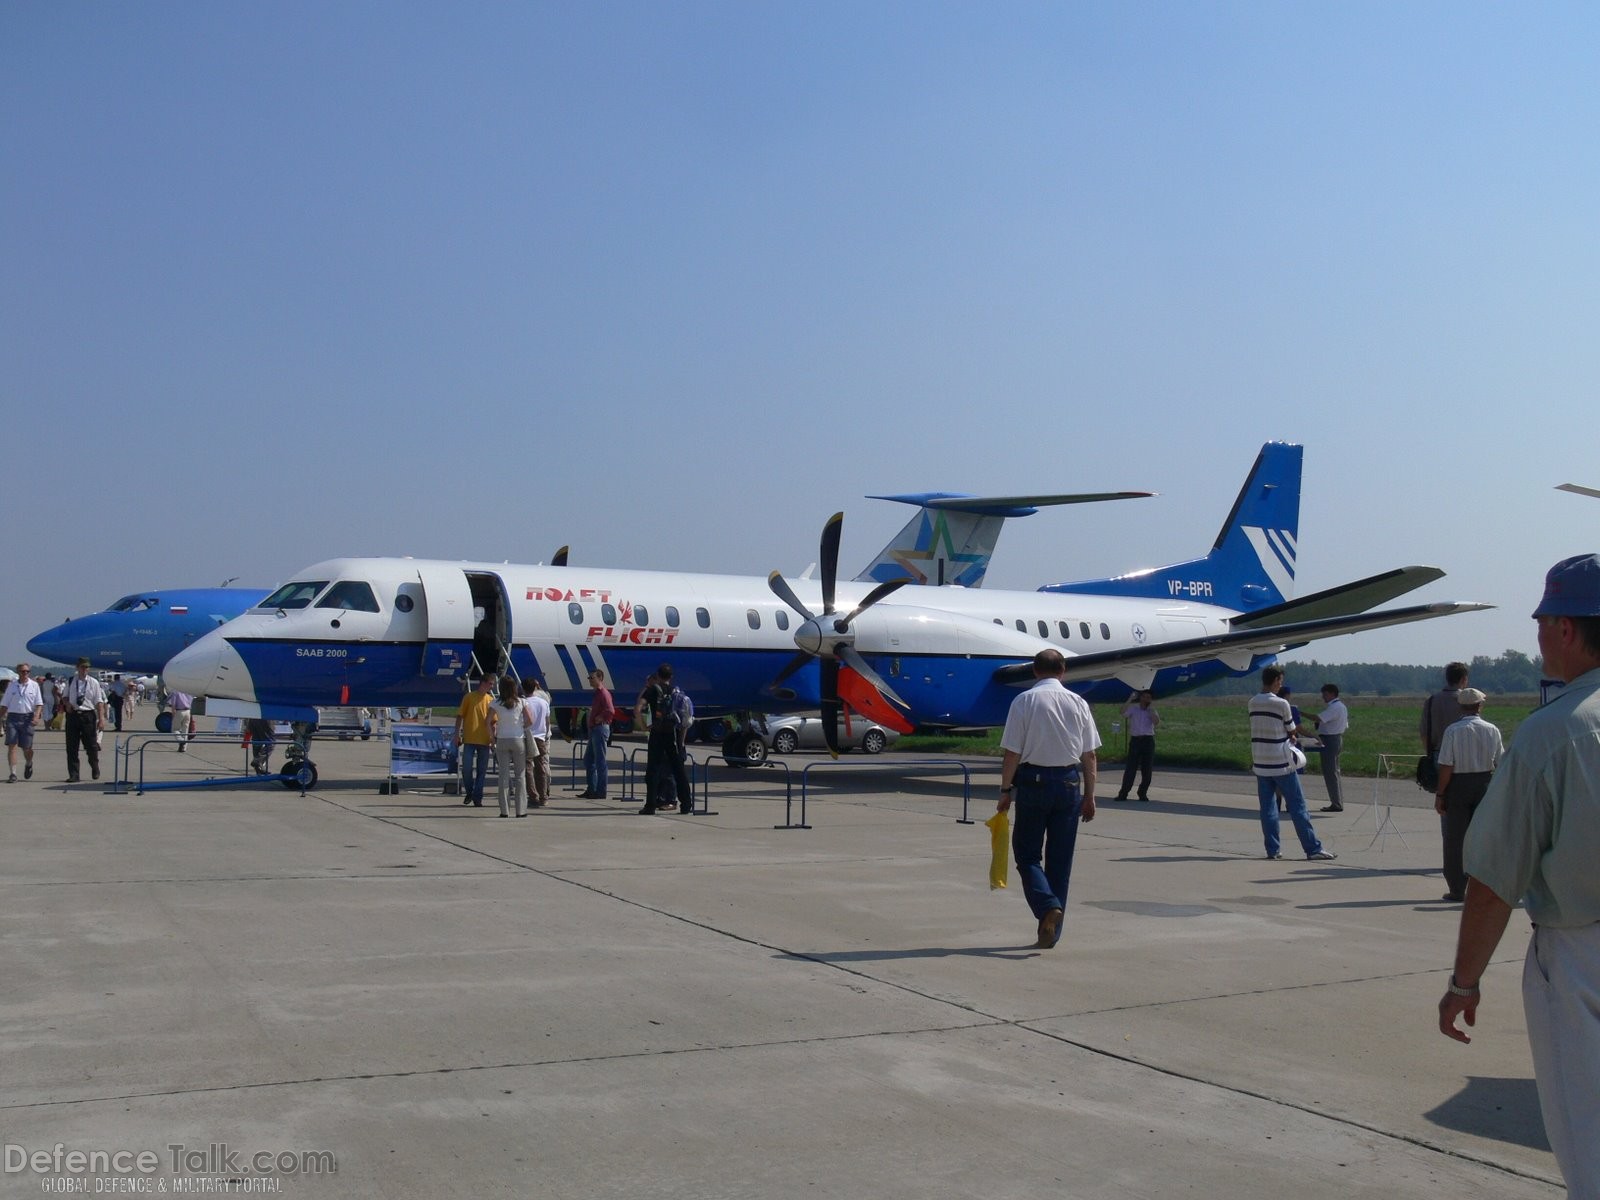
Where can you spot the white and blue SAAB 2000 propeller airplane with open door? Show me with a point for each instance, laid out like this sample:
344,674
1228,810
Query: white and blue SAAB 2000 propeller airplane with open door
409,633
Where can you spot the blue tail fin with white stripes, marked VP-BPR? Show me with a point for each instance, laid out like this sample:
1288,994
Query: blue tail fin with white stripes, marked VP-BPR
1250,566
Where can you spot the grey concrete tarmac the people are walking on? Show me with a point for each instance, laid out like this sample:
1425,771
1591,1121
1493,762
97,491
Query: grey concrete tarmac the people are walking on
598,1004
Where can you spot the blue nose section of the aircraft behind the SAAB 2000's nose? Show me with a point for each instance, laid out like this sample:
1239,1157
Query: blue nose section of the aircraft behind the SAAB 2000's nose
145,630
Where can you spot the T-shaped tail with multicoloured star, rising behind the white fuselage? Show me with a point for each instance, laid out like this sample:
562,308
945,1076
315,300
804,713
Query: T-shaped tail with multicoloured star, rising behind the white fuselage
953,538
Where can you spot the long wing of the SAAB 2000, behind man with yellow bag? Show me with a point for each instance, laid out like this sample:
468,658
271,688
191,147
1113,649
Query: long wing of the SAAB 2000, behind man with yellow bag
1236,649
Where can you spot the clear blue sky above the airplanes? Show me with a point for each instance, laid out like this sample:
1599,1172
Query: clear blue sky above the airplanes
673,282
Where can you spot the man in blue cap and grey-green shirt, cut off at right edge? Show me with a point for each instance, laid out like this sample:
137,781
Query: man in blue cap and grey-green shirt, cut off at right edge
1537,839
